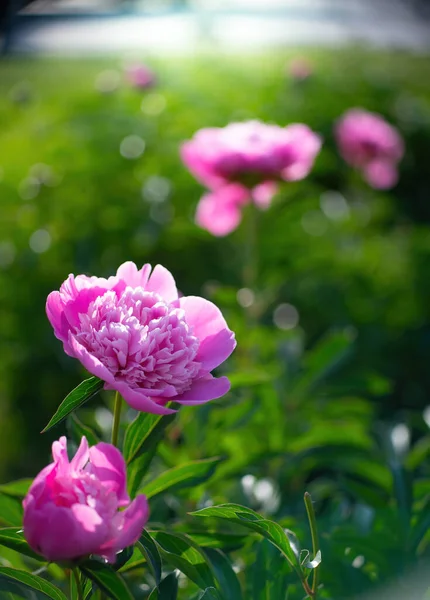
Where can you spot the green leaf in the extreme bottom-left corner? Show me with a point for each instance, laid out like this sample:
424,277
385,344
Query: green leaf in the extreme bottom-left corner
25,585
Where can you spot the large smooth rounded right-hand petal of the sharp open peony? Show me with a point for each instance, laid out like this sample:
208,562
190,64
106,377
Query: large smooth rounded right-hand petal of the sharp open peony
217,342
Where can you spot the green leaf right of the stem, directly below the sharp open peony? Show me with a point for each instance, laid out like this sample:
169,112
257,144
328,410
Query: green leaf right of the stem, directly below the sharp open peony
143,433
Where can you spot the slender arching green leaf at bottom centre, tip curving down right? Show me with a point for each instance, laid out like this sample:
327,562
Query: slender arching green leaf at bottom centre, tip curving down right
246,517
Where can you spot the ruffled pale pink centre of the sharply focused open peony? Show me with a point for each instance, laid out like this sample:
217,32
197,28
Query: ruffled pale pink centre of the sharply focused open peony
141,339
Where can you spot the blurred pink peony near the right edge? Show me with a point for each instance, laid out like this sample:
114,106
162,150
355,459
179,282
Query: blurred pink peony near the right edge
366,141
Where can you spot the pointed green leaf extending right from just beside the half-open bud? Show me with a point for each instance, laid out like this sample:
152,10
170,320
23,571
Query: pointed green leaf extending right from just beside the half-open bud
186,475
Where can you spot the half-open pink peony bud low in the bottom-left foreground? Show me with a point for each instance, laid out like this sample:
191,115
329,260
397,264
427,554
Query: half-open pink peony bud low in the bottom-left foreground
71,508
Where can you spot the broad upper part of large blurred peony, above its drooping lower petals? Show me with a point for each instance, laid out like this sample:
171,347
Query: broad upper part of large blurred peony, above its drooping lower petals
251,153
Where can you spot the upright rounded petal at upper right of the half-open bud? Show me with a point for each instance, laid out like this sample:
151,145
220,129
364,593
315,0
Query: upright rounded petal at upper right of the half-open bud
108,465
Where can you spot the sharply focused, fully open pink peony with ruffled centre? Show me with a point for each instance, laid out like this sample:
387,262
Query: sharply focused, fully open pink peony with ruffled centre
134,332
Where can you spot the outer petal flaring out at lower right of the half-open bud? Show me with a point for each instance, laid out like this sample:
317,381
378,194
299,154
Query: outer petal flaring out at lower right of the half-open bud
133,520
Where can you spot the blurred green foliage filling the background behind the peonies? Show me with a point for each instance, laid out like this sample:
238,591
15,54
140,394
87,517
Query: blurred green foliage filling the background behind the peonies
336,403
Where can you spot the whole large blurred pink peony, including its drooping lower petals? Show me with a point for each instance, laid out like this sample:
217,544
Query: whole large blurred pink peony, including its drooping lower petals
241,163
